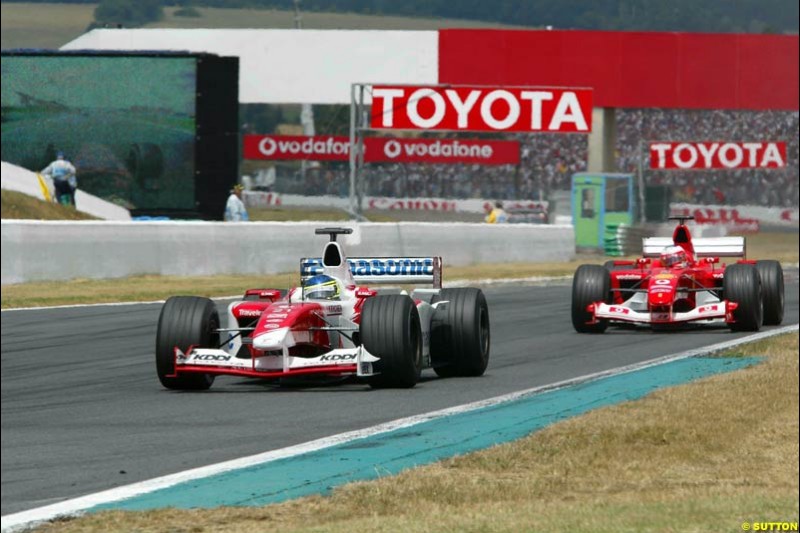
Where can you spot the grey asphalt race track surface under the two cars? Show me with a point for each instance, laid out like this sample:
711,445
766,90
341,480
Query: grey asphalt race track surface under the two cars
82,409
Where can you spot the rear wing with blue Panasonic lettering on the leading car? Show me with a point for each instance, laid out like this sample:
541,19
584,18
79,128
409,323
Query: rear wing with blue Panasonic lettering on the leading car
376,270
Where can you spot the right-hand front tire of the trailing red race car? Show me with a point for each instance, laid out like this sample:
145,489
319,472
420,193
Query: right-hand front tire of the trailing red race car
742,285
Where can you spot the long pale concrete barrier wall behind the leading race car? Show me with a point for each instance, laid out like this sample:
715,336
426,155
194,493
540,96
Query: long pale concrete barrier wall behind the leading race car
41,250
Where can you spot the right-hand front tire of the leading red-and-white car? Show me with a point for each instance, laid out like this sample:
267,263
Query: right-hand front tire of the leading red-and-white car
390,329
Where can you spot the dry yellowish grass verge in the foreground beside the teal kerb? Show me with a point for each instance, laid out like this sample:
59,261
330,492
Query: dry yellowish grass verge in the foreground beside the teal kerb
705,456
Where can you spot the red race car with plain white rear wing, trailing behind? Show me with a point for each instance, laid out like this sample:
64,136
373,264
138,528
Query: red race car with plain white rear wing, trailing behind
679,281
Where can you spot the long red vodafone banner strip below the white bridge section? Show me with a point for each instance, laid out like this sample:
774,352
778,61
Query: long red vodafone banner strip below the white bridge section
382,149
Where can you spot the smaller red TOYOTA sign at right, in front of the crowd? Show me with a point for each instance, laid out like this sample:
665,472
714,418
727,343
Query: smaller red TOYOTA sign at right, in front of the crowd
717,155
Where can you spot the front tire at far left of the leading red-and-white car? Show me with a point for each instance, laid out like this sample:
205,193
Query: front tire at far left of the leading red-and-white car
185,321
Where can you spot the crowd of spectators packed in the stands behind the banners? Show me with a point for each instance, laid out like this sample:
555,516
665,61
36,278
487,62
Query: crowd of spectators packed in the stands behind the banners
547,162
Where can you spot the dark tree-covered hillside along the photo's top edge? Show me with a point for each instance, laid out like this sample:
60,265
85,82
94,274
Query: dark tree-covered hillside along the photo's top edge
749,16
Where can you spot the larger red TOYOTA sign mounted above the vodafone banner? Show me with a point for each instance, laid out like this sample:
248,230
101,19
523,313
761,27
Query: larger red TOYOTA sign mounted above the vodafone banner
524,109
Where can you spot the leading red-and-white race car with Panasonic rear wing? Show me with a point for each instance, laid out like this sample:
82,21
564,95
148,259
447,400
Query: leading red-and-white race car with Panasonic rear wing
330,326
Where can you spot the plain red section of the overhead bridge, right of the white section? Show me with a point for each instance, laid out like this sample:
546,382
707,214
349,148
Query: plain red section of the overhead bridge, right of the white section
631,69
